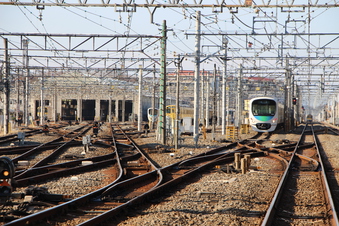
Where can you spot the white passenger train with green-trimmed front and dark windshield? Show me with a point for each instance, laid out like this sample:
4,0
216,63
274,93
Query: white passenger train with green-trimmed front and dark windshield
265,114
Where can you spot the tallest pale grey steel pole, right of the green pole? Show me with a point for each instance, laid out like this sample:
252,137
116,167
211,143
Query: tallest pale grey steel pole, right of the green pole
197,78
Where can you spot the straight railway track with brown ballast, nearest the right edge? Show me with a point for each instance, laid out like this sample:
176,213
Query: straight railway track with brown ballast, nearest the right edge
303,195
